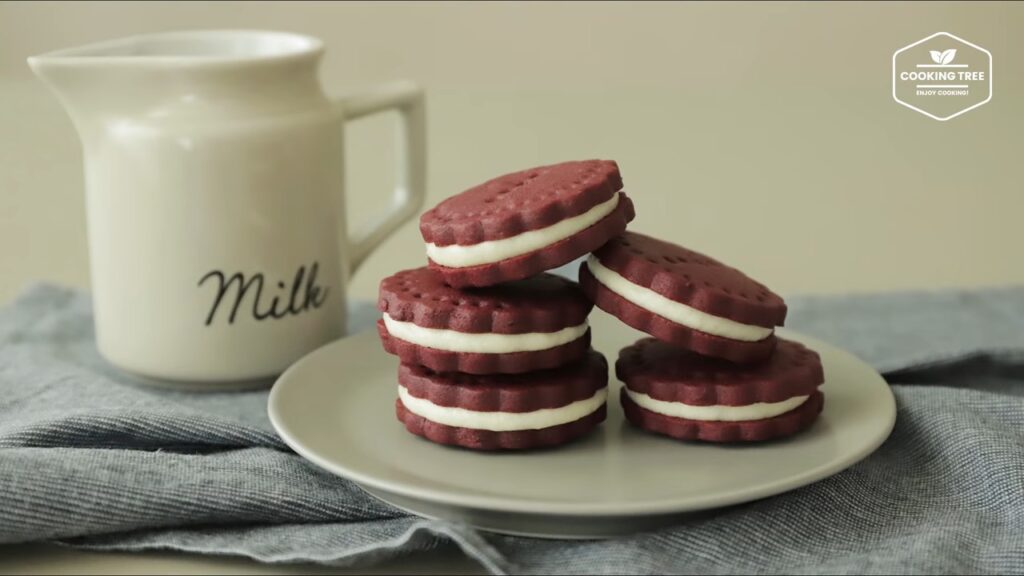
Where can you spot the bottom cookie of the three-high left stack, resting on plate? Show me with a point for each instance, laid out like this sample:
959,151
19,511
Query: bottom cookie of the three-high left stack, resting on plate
504,412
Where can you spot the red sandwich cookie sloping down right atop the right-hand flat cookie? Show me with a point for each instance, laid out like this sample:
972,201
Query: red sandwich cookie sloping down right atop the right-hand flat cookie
684,298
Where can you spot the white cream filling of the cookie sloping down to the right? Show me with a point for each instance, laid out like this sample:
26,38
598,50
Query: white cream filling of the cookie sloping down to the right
676,312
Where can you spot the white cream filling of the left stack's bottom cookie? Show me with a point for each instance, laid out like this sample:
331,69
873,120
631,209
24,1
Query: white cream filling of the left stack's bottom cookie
502,422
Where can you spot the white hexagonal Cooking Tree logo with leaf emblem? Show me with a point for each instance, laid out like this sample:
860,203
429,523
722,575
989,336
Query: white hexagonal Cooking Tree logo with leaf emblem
943,76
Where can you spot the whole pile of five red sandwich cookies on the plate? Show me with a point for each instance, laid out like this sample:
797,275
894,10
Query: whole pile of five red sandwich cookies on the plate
496,353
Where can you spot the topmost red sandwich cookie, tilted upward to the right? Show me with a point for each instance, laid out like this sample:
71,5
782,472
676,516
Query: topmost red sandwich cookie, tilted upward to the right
523,224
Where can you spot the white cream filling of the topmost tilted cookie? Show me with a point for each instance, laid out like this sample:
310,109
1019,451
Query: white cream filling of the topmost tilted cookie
495,251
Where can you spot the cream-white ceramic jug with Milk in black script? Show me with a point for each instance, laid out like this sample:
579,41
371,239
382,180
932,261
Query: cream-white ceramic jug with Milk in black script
215,160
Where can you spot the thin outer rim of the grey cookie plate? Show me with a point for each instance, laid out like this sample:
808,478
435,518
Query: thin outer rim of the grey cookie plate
499,504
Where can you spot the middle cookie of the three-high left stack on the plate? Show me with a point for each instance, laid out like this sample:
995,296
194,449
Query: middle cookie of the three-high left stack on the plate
533,324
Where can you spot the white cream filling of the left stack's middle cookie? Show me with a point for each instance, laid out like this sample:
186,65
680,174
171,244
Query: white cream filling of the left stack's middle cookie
452,341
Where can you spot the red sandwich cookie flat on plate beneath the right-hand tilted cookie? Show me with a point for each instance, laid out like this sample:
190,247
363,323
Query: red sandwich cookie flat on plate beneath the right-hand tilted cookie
691,397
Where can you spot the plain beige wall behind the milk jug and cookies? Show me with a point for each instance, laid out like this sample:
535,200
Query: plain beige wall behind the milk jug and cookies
762,134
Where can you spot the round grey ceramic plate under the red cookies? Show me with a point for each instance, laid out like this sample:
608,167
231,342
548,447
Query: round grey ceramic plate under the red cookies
336,408
